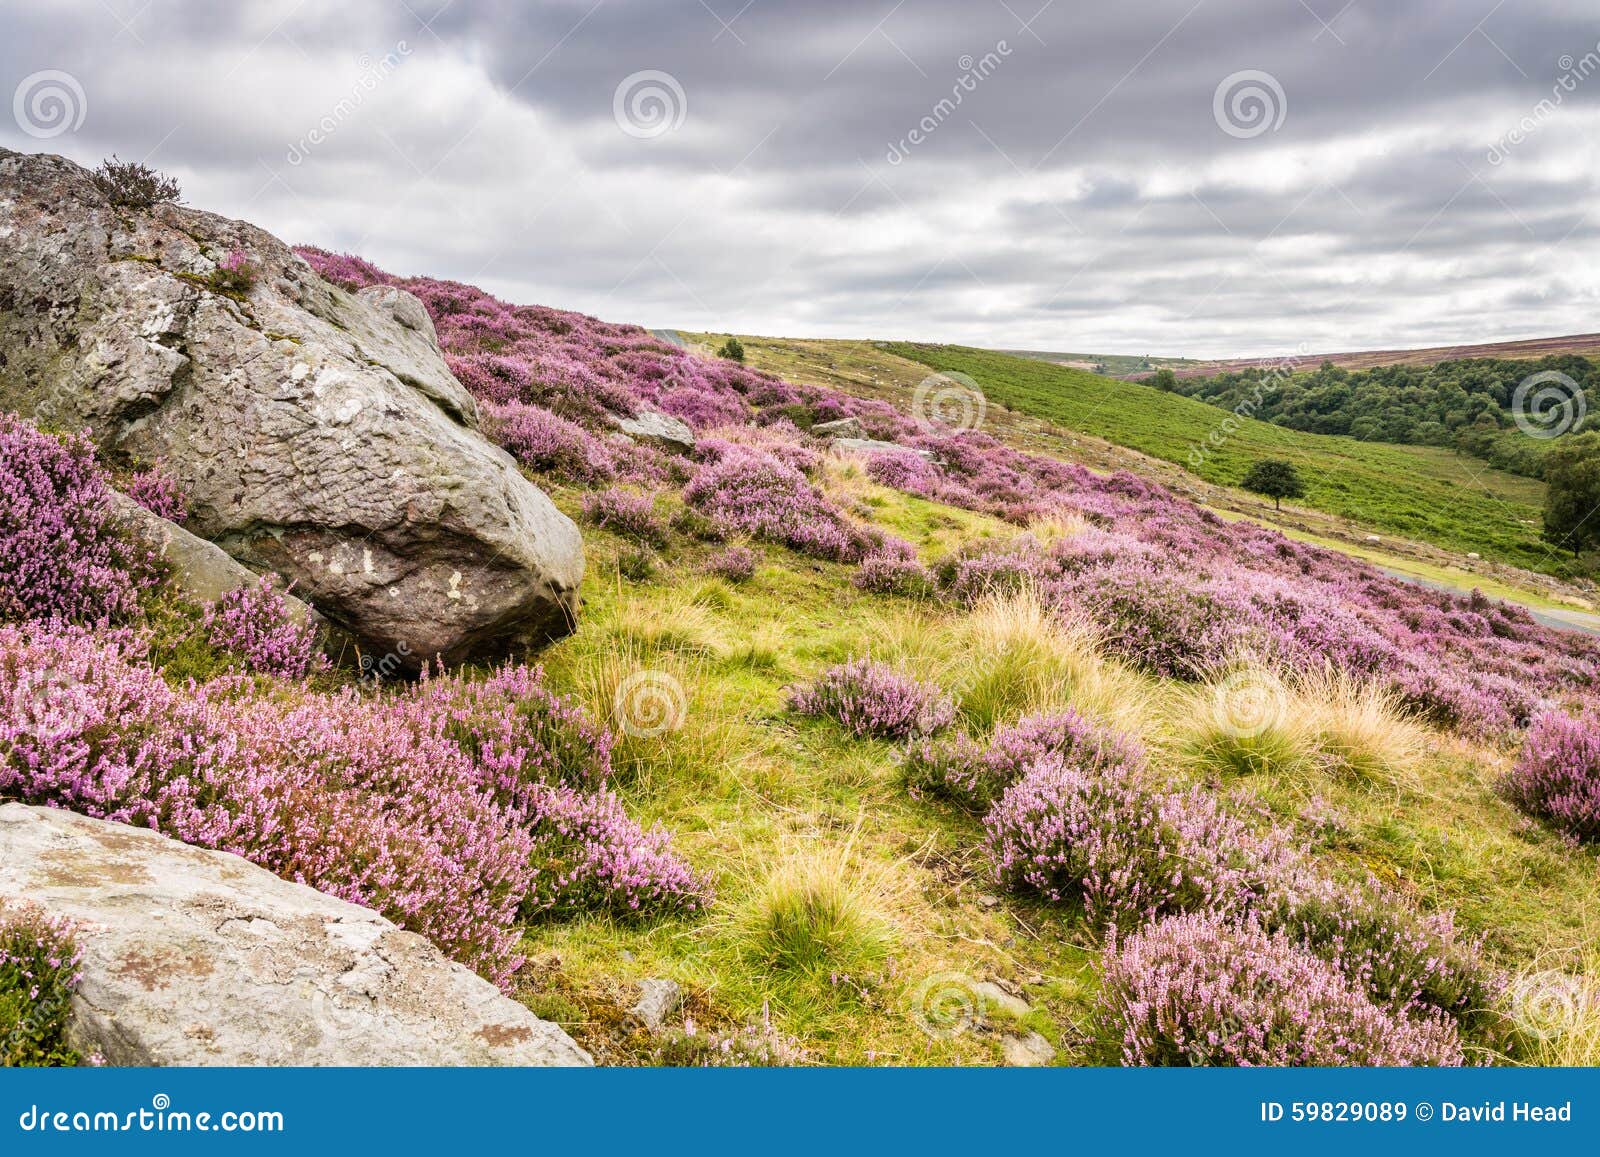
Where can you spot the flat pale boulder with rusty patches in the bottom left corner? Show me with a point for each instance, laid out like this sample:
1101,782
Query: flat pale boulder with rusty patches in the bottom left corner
199,958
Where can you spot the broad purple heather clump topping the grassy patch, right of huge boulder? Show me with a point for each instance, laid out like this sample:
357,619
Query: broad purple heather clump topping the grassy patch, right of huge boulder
750,492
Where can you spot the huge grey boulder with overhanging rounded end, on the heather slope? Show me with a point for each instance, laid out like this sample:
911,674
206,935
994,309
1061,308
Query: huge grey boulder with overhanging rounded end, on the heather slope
318,433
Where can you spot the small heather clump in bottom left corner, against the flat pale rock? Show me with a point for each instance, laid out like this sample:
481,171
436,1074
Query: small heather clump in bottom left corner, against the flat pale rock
39,974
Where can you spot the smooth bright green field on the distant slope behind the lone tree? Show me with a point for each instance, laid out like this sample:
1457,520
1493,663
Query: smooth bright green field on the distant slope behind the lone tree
1415,492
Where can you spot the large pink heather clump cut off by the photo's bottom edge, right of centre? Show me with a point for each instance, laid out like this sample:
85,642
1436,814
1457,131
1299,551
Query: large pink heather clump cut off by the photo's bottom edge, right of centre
1196,991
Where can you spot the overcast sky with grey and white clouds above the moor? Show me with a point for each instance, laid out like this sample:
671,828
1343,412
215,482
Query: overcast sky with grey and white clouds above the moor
1188,177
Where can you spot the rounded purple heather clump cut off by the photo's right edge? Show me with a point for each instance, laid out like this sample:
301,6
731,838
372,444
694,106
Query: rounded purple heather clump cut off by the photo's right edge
1558,775
